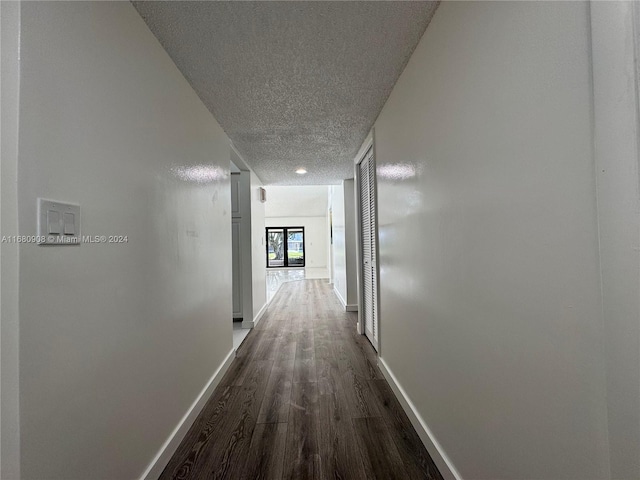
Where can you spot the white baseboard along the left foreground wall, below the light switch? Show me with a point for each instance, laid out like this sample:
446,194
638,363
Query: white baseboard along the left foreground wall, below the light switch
172,443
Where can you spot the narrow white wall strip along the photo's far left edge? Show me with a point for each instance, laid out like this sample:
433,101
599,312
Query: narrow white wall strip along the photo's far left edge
9,324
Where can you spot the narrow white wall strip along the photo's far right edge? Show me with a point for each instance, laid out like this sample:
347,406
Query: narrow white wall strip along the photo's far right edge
616,141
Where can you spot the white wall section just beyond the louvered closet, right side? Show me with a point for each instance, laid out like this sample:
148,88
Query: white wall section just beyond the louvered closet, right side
344,243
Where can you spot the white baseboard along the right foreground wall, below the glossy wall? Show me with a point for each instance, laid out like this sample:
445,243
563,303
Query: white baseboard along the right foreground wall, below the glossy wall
434,448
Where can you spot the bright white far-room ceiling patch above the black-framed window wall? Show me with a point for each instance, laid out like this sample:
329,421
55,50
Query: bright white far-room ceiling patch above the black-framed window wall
297,201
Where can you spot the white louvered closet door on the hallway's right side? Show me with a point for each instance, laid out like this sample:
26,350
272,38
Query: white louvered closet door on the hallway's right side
368,247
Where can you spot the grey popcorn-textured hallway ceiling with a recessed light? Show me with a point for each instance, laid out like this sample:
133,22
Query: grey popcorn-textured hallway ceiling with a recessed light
293,84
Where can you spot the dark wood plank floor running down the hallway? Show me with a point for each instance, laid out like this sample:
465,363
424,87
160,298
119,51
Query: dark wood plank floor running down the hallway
303,399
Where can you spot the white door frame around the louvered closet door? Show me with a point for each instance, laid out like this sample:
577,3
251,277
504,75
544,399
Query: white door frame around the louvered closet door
368,144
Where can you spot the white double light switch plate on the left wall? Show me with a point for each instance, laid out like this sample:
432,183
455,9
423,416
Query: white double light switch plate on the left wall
58,223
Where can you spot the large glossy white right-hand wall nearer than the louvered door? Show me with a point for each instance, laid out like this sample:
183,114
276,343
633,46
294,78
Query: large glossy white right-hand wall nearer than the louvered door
491,314
